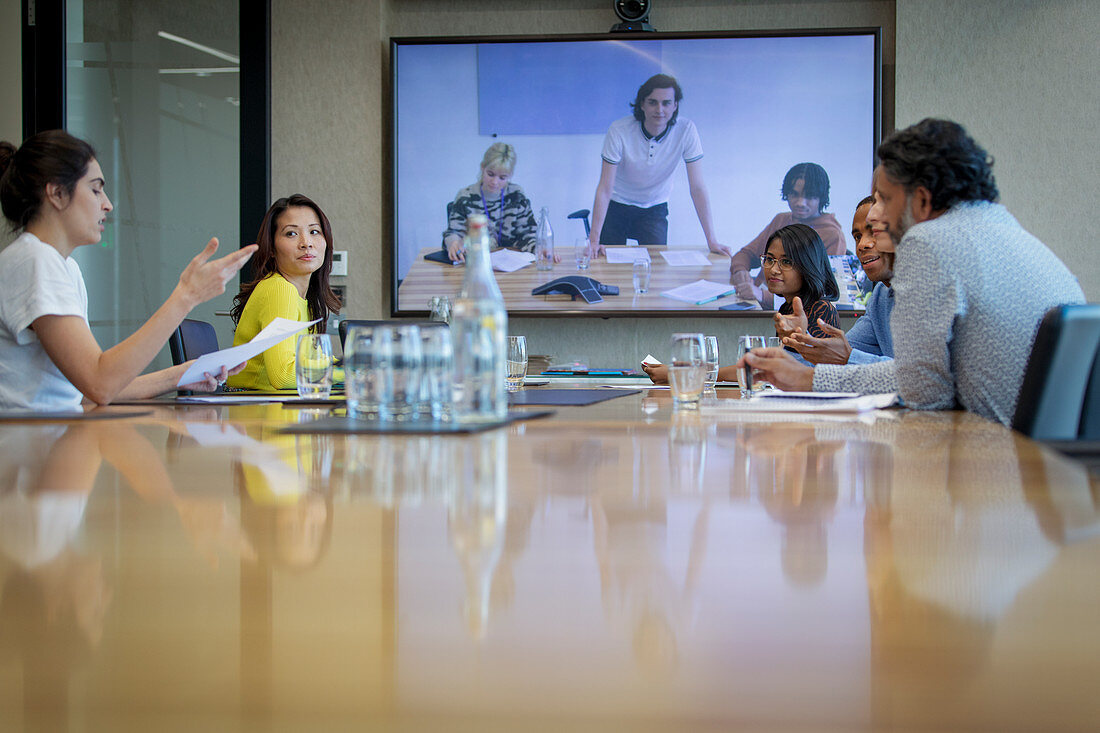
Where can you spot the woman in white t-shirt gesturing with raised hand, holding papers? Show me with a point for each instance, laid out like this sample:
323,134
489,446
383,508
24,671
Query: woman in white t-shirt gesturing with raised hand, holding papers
52,192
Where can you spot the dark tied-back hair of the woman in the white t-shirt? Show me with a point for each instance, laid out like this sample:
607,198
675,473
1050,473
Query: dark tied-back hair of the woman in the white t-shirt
53,157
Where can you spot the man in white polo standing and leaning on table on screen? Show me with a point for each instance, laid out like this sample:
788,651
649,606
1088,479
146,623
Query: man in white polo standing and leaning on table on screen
641,155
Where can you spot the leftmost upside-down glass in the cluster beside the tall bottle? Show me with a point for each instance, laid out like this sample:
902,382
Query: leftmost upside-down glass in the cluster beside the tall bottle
368,373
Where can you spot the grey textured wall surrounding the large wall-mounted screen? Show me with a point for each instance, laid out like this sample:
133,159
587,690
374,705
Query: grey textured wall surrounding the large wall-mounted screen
329,112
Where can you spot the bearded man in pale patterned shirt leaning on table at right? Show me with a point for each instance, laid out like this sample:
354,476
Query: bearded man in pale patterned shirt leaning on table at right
971,285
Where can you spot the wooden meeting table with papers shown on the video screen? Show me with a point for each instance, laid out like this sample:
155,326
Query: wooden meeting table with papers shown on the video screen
427,279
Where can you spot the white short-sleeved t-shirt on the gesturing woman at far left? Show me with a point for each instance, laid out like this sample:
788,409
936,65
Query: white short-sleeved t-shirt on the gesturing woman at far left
36,281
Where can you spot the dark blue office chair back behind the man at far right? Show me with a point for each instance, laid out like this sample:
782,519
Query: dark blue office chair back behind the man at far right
1060,396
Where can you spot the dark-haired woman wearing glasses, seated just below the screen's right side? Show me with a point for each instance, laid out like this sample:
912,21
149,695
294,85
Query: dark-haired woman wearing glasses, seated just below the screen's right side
797,269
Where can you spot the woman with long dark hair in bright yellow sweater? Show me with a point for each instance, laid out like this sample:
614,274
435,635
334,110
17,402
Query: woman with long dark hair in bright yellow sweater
292,281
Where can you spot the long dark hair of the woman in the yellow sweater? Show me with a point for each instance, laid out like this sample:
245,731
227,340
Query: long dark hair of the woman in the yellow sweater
321,298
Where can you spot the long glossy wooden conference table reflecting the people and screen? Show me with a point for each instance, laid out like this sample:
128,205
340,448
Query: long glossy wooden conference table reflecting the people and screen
620,566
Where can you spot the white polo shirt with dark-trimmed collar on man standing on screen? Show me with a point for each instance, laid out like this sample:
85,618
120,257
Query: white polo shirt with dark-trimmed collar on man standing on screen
646,165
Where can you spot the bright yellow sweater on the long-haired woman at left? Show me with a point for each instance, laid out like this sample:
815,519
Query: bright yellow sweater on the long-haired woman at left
274,298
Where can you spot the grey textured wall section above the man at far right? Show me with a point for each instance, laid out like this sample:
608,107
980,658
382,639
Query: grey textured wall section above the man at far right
1021,78
